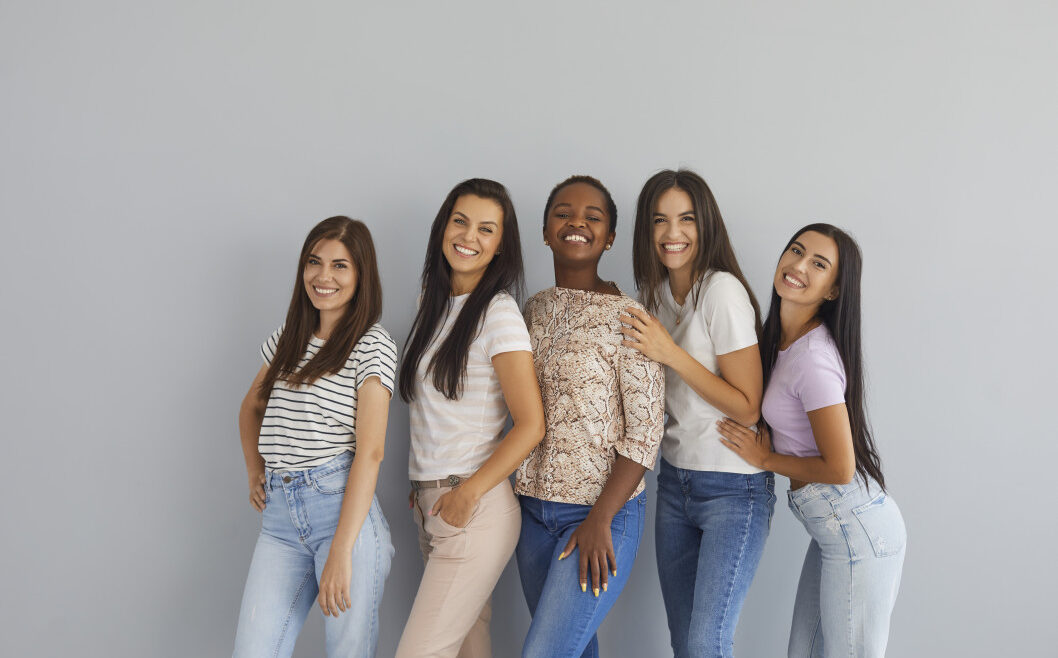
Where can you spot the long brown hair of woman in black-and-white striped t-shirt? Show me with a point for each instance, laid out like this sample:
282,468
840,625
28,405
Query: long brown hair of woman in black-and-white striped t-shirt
364,309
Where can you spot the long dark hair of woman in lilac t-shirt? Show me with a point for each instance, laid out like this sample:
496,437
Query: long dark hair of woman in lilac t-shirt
843,319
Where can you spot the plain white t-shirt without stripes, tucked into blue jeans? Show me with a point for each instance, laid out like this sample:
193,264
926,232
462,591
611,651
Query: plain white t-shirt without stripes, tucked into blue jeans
722,322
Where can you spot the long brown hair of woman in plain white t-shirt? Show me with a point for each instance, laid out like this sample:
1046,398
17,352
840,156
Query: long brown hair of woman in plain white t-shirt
715,247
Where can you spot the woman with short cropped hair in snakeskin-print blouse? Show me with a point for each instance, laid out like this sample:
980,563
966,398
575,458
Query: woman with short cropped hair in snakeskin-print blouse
582,488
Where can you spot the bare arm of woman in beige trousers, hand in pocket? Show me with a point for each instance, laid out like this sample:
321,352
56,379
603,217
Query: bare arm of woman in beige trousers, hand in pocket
518,379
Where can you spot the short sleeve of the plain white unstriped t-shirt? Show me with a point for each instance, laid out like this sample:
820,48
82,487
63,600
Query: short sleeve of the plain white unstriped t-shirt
728,314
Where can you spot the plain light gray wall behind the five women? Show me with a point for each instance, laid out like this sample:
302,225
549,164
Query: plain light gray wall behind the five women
161,163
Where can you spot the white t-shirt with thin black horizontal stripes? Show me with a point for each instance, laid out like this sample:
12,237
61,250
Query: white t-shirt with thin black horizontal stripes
305,427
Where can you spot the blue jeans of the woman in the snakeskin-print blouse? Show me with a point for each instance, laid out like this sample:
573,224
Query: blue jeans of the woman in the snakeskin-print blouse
564,618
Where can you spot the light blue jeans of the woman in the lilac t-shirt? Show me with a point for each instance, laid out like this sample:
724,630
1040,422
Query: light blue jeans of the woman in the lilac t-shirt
852,571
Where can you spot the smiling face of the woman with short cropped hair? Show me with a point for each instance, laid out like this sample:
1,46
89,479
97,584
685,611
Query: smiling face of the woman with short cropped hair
578,226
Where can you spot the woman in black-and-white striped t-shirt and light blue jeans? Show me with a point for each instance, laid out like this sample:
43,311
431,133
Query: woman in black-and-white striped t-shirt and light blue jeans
314,426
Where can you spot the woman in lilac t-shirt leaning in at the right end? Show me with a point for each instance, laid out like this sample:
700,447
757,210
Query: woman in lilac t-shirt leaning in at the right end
814,405
